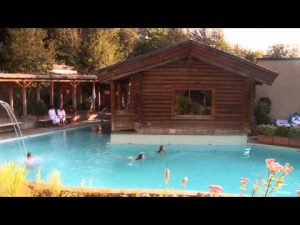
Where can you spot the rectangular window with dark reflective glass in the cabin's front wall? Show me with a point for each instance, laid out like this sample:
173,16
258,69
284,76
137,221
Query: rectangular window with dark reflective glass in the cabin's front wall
193,102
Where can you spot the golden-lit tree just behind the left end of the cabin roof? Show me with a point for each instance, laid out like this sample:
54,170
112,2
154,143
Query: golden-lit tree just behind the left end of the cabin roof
98,49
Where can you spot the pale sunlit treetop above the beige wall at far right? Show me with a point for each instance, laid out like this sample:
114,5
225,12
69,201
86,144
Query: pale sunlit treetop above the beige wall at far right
281,51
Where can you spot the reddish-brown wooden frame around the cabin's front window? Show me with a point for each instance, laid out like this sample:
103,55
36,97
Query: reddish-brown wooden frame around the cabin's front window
194,88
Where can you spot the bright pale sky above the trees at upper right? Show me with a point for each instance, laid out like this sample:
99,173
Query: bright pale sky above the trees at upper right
262,38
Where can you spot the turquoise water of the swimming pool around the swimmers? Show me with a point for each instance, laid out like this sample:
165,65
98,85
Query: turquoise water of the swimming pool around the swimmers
80,154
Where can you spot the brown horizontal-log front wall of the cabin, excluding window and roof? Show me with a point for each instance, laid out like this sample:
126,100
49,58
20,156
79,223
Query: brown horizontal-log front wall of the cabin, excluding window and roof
234,96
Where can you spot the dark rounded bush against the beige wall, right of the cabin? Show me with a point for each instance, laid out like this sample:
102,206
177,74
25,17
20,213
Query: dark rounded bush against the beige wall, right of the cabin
262,110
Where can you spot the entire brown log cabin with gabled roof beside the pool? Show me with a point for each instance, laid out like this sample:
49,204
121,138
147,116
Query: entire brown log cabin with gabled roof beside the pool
186,88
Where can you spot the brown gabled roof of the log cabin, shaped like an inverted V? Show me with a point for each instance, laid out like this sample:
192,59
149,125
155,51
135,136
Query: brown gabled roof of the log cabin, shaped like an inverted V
187,49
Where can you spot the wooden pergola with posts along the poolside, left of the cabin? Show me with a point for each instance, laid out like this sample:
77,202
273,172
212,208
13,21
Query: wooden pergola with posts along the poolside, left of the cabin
24,80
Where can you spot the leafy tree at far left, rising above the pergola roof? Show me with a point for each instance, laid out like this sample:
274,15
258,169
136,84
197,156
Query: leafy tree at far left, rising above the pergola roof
25,51
